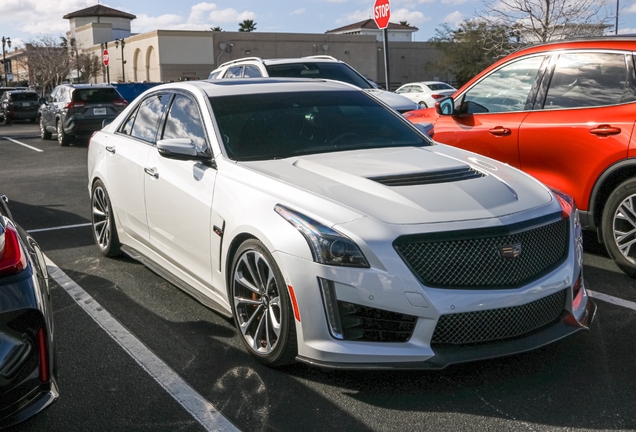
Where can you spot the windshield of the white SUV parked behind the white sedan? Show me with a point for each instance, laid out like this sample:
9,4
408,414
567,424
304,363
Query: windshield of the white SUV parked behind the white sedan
323,70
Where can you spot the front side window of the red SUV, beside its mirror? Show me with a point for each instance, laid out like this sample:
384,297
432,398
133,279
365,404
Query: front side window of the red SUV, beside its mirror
504,90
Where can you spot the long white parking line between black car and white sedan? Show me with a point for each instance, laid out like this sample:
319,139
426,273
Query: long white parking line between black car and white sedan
195,404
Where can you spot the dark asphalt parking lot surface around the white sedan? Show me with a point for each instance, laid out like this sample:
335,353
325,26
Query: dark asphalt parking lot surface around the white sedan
585,382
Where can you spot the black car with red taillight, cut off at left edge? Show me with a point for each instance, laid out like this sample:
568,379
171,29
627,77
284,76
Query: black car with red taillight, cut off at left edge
27,351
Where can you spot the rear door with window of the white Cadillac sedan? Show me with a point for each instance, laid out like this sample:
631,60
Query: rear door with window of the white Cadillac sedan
128,151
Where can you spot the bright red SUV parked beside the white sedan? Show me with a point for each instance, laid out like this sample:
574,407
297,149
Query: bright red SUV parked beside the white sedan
563,112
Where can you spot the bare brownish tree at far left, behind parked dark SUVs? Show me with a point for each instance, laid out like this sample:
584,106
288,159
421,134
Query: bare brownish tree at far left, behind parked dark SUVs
47,61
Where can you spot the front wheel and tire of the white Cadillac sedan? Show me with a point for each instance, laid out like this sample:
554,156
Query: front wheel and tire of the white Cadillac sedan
271,336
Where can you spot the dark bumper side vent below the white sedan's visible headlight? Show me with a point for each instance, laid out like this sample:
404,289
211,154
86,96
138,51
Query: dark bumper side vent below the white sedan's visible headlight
362,323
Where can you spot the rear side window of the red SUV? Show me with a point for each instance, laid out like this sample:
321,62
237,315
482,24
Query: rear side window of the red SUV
588,80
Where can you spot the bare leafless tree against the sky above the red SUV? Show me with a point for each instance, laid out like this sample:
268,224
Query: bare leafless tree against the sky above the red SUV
535,21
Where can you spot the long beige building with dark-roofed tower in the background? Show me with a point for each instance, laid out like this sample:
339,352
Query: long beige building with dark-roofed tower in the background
172,55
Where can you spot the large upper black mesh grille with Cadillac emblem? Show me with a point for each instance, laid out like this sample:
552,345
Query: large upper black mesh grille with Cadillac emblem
476,258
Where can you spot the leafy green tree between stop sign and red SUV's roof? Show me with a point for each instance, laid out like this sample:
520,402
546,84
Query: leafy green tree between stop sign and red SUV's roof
469,49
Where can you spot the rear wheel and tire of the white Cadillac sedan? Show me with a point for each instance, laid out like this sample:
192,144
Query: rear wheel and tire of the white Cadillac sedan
103,221
